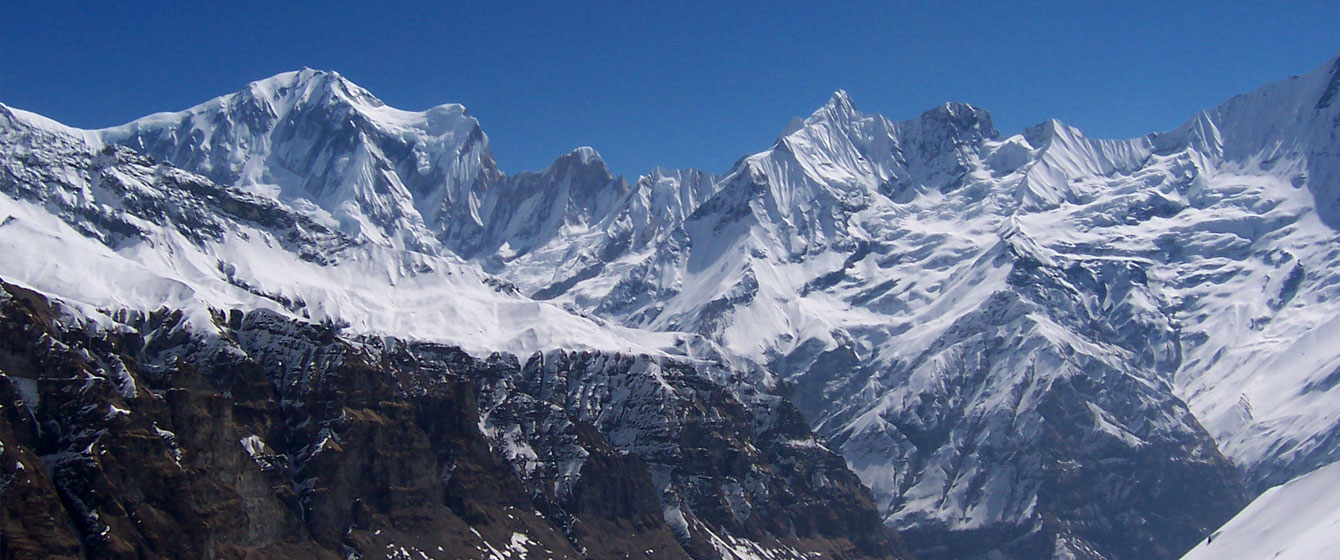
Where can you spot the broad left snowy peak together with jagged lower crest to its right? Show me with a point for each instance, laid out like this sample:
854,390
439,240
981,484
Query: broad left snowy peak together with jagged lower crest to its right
400,179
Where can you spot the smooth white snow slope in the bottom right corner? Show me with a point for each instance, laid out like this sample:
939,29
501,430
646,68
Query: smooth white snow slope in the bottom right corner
1298,520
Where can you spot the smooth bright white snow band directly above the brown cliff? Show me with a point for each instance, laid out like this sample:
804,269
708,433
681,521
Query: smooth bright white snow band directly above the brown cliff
375,289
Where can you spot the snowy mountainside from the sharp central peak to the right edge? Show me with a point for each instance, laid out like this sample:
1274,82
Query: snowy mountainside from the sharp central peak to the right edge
927,285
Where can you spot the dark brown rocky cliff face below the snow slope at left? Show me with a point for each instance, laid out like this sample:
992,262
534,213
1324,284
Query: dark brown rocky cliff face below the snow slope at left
145,437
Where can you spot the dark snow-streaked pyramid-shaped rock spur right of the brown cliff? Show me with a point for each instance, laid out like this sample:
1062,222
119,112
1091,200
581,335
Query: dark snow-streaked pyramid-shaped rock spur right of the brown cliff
1078,440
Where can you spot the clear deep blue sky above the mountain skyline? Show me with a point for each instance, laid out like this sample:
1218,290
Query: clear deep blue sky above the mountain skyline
669,84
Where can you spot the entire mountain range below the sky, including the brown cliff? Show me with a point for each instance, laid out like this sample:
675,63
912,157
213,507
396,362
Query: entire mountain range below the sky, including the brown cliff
295,321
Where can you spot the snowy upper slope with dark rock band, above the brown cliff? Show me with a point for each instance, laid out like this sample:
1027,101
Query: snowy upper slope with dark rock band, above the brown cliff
140,235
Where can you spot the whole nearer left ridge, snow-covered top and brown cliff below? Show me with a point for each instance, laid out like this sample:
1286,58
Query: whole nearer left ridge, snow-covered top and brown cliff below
253,377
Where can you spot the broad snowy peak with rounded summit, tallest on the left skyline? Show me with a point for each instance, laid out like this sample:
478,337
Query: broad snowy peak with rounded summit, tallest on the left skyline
316,139
